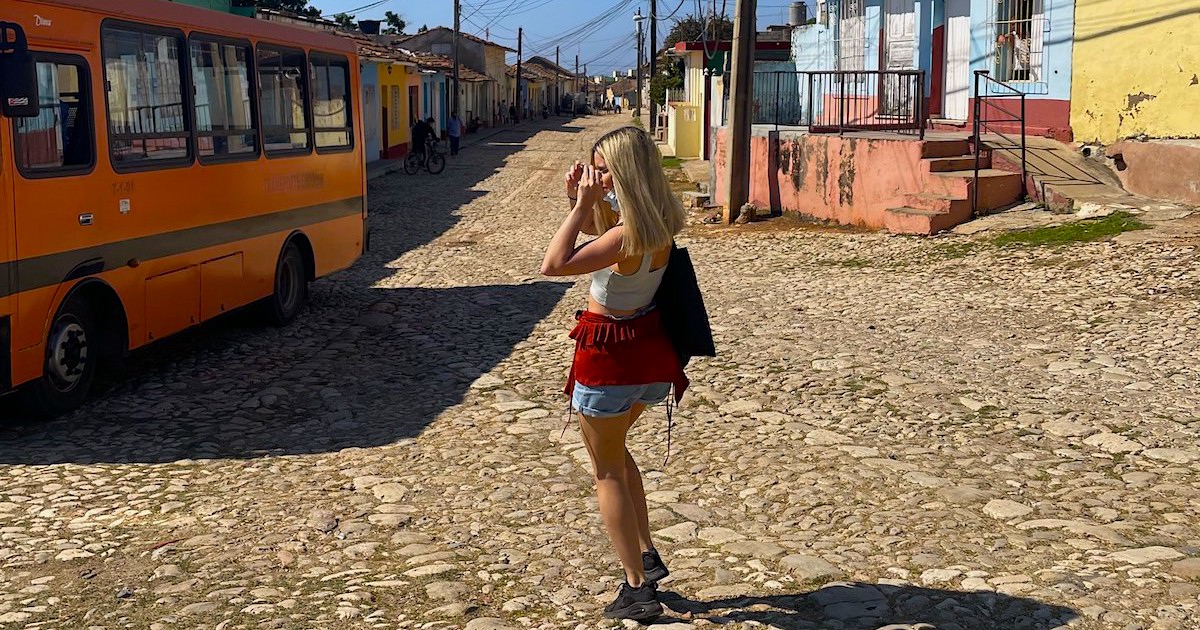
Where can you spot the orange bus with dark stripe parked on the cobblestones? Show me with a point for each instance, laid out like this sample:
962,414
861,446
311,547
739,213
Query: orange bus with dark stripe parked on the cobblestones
163,165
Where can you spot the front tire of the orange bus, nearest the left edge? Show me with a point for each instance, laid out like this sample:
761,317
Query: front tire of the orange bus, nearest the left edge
73,353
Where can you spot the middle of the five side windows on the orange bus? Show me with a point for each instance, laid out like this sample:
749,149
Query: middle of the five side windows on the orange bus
225,122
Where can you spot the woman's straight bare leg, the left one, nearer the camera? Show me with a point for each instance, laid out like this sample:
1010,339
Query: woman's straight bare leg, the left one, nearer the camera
605,440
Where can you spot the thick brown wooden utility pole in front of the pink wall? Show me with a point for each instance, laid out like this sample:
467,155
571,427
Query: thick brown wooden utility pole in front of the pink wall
742,87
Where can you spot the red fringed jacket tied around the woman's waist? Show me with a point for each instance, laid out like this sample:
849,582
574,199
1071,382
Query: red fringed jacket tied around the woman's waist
623,352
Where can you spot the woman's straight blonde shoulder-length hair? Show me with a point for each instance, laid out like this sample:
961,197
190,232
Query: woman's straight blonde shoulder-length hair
650,211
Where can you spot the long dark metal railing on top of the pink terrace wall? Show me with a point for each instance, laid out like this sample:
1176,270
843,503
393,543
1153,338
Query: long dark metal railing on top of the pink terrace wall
843,100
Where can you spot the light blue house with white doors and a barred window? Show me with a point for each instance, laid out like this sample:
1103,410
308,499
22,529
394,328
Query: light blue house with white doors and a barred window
1027,45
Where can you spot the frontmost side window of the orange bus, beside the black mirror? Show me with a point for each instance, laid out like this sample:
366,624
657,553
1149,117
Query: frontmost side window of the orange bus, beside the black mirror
59,140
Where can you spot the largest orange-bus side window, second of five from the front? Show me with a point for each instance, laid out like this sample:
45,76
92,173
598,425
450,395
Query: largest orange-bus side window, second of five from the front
146,99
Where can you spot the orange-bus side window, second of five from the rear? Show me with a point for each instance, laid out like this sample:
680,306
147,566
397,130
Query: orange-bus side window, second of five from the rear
283,103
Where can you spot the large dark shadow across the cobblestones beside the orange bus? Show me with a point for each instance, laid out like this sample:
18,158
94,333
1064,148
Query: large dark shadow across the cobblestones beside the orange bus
362,367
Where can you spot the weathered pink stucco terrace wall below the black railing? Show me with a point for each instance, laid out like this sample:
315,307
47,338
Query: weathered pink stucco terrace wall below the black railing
843,179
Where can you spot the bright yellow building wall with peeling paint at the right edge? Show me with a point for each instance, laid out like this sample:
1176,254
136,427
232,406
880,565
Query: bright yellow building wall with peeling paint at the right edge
1136,70
